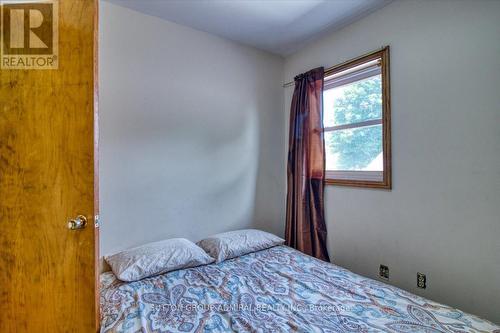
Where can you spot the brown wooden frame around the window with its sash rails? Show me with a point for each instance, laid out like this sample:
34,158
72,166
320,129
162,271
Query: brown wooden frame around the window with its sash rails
336,177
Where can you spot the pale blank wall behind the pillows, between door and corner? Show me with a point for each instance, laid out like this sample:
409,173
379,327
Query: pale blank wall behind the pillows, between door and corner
191,132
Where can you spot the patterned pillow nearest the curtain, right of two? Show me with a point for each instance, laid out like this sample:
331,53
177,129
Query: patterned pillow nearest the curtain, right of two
236,243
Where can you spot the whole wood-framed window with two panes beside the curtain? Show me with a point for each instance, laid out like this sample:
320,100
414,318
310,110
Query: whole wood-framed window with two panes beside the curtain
356,122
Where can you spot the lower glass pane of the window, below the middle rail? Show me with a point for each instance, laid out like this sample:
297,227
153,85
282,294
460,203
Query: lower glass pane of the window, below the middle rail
355,149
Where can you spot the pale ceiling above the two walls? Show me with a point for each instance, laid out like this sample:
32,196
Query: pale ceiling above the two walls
278,26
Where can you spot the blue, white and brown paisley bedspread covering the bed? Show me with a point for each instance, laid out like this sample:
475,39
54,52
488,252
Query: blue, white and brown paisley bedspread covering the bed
274,290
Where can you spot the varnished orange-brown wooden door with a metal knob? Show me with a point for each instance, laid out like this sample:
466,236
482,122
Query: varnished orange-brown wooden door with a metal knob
47,166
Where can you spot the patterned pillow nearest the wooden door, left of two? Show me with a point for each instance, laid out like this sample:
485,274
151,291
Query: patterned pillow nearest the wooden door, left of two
157,258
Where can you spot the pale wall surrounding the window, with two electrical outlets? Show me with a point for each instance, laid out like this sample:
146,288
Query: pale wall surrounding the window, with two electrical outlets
442,217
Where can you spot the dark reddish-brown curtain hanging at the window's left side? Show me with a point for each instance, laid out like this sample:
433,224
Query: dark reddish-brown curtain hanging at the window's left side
305,222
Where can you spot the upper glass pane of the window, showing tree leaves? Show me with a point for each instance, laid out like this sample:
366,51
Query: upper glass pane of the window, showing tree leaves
354,102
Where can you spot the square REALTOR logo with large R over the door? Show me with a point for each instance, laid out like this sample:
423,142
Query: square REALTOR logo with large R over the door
29,37
